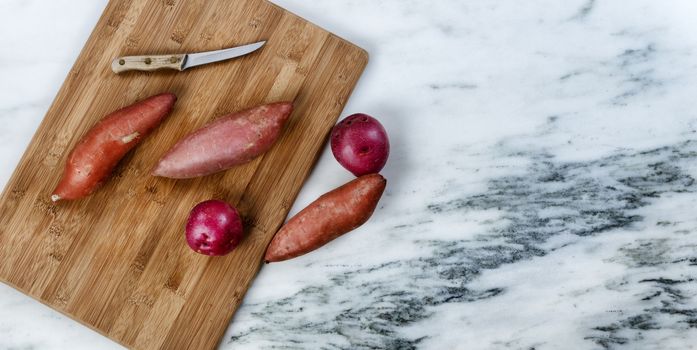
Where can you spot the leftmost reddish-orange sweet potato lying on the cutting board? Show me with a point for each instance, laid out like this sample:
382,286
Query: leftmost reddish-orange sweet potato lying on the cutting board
97,153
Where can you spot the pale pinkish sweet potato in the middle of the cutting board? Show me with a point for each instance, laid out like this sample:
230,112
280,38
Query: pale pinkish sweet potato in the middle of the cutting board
229,141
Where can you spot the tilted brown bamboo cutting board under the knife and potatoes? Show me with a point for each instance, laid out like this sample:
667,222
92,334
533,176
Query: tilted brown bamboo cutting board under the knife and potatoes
117,261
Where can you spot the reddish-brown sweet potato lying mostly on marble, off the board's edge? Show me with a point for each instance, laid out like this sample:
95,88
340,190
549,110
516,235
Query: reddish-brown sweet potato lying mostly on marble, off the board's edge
330,216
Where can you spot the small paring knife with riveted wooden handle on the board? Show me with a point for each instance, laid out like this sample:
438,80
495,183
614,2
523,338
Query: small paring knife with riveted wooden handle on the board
180,61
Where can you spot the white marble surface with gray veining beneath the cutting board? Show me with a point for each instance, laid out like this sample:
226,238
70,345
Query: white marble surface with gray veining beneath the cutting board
541,188
